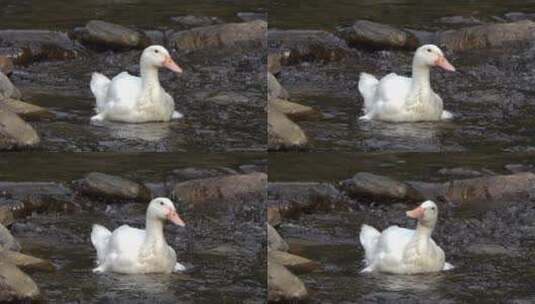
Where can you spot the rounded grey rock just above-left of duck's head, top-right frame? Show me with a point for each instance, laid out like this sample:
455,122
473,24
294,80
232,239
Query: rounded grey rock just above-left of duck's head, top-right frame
368,34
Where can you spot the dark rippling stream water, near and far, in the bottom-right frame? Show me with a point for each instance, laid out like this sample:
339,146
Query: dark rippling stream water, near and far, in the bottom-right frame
331,237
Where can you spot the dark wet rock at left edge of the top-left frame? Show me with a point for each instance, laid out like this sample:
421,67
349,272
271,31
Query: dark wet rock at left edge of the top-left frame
39,44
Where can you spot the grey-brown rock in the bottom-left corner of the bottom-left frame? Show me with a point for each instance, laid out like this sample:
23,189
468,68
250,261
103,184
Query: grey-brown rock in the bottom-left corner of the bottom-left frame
15,285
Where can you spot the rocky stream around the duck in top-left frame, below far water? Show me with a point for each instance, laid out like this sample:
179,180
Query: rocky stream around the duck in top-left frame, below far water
221,92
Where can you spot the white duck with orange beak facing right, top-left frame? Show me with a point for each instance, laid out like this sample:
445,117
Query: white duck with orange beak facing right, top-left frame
132,99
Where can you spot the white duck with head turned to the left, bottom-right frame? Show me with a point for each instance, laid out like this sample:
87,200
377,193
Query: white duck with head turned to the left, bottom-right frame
405,251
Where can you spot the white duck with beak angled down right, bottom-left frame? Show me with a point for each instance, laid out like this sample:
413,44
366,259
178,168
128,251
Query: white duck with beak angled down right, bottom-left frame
132,250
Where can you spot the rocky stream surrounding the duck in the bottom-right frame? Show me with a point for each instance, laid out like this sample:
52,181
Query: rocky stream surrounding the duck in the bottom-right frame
485,224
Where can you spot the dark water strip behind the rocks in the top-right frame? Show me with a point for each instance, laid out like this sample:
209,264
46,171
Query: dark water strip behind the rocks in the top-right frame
320,14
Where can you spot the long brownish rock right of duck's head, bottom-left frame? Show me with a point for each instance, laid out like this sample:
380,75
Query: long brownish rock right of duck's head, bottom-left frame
225,188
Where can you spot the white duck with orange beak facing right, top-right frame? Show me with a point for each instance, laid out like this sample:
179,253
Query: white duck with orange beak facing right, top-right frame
402,99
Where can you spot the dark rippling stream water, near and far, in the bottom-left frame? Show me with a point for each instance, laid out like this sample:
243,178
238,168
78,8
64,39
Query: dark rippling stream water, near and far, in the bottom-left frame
234,273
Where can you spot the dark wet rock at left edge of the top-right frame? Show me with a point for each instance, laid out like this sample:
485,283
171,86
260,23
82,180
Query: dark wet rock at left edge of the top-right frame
307,45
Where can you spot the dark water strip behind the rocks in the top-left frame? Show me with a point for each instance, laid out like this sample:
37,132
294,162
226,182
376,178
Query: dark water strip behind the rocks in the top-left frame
58,14
